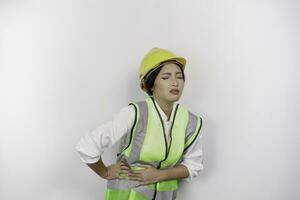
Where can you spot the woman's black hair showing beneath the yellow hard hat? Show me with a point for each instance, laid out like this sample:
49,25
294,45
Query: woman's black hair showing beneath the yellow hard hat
151,76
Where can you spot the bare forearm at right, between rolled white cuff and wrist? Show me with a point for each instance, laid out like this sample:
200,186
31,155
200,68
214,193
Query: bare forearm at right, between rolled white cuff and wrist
177,172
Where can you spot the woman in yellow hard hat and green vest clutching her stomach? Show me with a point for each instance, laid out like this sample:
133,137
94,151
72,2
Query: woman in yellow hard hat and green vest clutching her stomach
160,139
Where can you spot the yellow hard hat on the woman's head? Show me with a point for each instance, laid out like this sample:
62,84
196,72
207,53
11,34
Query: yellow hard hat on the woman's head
154,58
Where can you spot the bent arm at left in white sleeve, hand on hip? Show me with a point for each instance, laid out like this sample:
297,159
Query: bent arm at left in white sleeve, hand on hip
94,142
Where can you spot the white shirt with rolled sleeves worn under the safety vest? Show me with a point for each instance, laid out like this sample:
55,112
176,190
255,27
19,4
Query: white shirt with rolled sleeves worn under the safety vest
94,142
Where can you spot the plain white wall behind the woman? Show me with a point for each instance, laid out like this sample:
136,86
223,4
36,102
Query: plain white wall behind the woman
66,66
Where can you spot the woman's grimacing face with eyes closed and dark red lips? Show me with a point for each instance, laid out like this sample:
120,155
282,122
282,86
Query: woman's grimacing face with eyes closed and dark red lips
169,83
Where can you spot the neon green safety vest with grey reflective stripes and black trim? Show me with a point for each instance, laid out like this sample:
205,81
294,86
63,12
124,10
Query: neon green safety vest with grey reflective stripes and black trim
146,144
